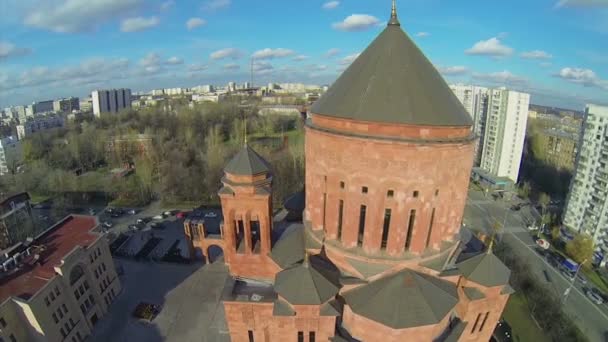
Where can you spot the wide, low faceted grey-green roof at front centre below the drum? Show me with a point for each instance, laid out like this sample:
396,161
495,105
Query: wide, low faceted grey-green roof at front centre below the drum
405,299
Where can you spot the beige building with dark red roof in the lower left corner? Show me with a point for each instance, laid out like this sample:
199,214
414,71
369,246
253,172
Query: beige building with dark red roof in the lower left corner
58,285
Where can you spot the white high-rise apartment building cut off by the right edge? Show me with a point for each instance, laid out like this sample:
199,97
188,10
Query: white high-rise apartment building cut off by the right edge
587,203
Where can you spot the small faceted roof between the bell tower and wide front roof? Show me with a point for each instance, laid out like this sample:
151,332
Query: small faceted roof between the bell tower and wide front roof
306,284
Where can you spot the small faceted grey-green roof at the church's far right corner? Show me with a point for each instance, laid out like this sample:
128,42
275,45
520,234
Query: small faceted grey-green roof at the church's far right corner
485,269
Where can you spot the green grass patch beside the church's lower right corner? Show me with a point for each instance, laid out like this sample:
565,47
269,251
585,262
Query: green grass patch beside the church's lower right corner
518,316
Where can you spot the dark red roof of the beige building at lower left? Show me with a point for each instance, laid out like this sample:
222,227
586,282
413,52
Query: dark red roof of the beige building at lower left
51,246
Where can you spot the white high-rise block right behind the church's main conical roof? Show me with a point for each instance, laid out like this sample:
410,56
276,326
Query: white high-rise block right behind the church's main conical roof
500,117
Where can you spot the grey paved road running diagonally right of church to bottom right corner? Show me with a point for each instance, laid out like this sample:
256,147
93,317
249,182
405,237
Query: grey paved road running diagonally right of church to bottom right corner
480,212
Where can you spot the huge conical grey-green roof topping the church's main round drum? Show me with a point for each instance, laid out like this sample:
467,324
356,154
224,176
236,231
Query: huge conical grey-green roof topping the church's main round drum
393,82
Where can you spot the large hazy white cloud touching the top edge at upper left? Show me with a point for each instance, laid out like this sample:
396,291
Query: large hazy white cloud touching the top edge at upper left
72,16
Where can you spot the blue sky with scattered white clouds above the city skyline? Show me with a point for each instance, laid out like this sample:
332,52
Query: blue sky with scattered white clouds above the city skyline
556,50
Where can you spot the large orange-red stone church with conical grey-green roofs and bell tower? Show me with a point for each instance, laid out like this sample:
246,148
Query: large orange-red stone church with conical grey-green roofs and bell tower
377,255
